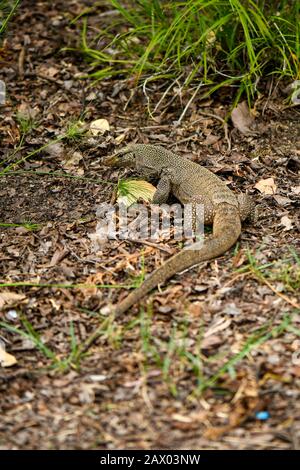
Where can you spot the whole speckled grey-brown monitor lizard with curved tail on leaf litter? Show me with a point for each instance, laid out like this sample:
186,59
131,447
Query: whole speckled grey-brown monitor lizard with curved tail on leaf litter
189,182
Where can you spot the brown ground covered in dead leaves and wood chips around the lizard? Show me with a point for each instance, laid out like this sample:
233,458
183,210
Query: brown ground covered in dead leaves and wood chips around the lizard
211,360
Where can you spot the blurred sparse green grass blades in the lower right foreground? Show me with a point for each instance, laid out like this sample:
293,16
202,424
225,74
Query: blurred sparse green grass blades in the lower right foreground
174,357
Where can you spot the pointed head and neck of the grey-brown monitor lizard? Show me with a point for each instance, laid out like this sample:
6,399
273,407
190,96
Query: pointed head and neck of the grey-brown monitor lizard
137,157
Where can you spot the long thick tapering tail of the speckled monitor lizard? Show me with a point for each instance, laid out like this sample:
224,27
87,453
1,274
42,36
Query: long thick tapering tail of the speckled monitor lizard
226,231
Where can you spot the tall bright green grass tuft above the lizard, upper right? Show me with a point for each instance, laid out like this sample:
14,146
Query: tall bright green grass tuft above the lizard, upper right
216,43
